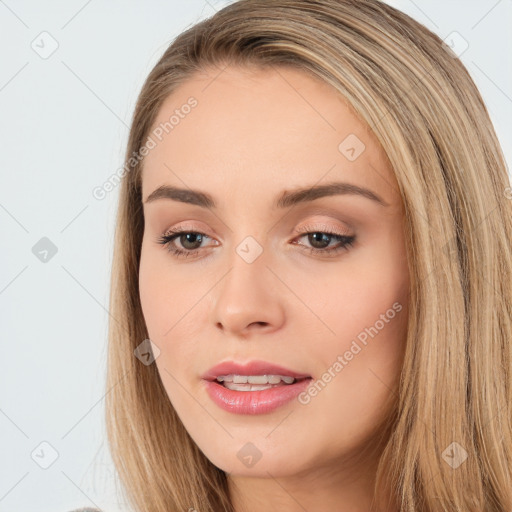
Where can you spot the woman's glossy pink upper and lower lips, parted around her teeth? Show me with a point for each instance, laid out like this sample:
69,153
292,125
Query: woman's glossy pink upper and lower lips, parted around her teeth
253,402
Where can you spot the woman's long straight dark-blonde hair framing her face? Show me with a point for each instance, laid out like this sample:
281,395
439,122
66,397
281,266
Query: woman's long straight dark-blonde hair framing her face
455,394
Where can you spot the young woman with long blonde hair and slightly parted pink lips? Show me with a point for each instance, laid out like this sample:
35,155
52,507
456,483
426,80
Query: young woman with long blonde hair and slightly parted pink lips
312,278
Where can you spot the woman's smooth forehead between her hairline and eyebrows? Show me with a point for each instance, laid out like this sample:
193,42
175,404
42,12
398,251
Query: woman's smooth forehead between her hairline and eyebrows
252,126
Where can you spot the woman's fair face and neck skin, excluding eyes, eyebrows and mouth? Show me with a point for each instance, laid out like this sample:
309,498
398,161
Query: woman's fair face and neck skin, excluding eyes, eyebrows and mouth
254,134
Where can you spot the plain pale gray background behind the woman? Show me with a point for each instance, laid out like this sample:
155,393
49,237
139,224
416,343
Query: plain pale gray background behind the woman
63,127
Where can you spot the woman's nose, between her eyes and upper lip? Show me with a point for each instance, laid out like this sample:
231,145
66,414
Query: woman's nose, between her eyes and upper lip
248,299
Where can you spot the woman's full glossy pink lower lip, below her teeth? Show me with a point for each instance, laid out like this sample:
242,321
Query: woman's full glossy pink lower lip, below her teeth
254,402
